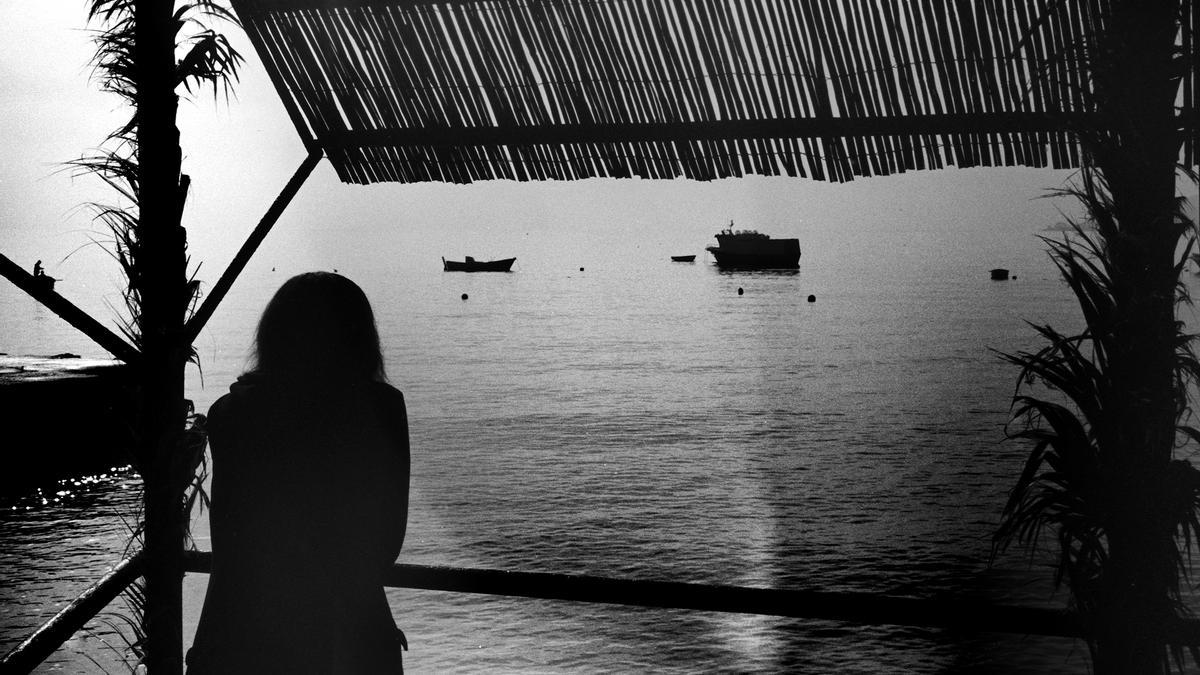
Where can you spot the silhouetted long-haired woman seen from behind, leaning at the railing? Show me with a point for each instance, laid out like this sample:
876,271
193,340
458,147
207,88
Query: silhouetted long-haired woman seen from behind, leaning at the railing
310,495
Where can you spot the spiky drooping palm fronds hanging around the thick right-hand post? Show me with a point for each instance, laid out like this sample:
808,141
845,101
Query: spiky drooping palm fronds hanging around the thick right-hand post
1072,474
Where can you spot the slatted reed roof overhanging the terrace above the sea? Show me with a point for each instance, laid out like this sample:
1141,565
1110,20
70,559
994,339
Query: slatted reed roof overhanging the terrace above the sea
464,91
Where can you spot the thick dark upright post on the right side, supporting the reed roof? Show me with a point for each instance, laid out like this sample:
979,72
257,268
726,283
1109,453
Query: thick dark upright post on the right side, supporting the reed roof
1135,87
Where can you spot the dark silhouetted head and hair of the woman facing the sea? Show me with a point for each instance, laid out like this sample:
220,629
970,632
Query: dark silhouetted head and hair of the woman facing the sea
319,327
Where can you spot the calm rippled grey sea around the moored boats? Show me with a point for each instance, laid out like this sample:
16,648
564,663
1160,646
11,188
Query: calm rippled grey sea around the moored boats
605,411
